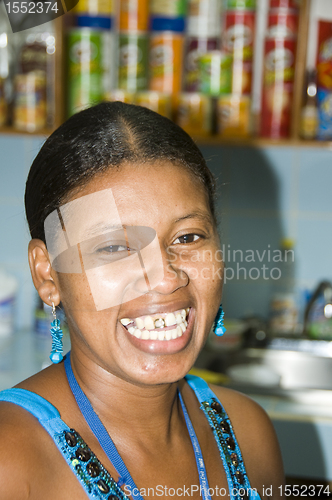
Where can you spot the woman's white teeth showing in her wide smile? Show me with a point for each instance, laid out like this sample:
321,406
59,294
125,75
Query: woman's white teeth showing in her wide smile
160,326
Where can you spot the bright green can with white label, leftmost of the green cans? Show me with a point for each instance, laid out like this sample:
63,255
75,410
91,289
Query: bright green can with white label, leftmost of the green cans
85,68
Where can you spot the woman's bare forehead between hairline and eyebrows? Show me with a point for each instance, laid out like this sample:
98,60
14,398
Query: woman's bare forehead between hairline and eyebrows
144,193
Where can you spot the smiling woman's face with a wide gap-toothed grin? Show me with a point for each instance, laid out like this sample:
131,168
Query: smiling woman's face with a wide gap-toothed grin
143,315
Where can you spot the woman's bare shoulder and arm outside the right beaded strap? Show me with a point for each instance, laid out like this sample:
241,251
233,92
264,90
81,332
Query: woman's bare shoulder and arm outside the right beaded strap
257,440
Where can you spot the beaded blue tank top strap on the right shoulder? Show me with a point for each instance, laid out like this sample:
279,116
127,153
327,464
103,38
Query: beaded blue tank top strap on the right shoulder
230,453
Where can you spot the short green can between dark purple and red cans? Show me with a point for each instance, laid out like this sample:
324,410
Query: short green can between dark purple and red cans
215,70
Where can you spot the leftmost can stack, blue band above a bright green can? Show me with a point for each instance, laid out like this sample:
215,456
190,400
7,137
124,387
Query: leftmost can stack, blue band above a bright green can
90,47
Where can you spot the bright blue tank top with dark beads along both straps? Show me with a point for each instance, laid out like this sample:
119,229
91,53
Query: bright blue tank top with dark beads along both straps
95,479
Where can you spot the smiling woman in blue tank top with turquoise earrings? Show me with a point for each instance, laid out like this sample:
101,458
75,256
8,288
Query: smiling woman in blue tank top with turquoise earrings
120,207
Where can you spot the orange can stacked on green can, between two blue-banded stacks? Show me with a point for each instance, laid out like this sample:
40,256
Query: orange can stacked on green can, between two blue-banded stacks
133,45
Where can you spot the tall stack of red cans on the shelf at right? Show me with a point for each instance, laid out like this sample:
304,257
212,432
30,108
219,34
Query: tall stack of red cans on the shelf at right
279,68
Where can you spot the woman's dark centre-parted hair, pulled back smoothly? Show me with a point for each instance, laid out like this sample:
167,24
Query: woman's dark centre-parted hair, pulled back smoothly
98,138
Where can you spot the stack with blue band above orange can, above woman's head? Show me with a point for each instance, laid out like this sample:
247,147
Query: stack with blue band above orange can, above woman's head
167,24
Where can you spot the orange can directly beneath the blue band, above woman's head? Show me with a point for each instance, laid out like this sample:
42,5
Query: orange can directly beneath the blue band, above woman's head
165,62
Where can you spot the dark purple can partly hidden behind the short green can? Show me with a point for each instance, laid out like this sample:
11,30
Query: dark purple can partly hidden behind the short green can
195,48
